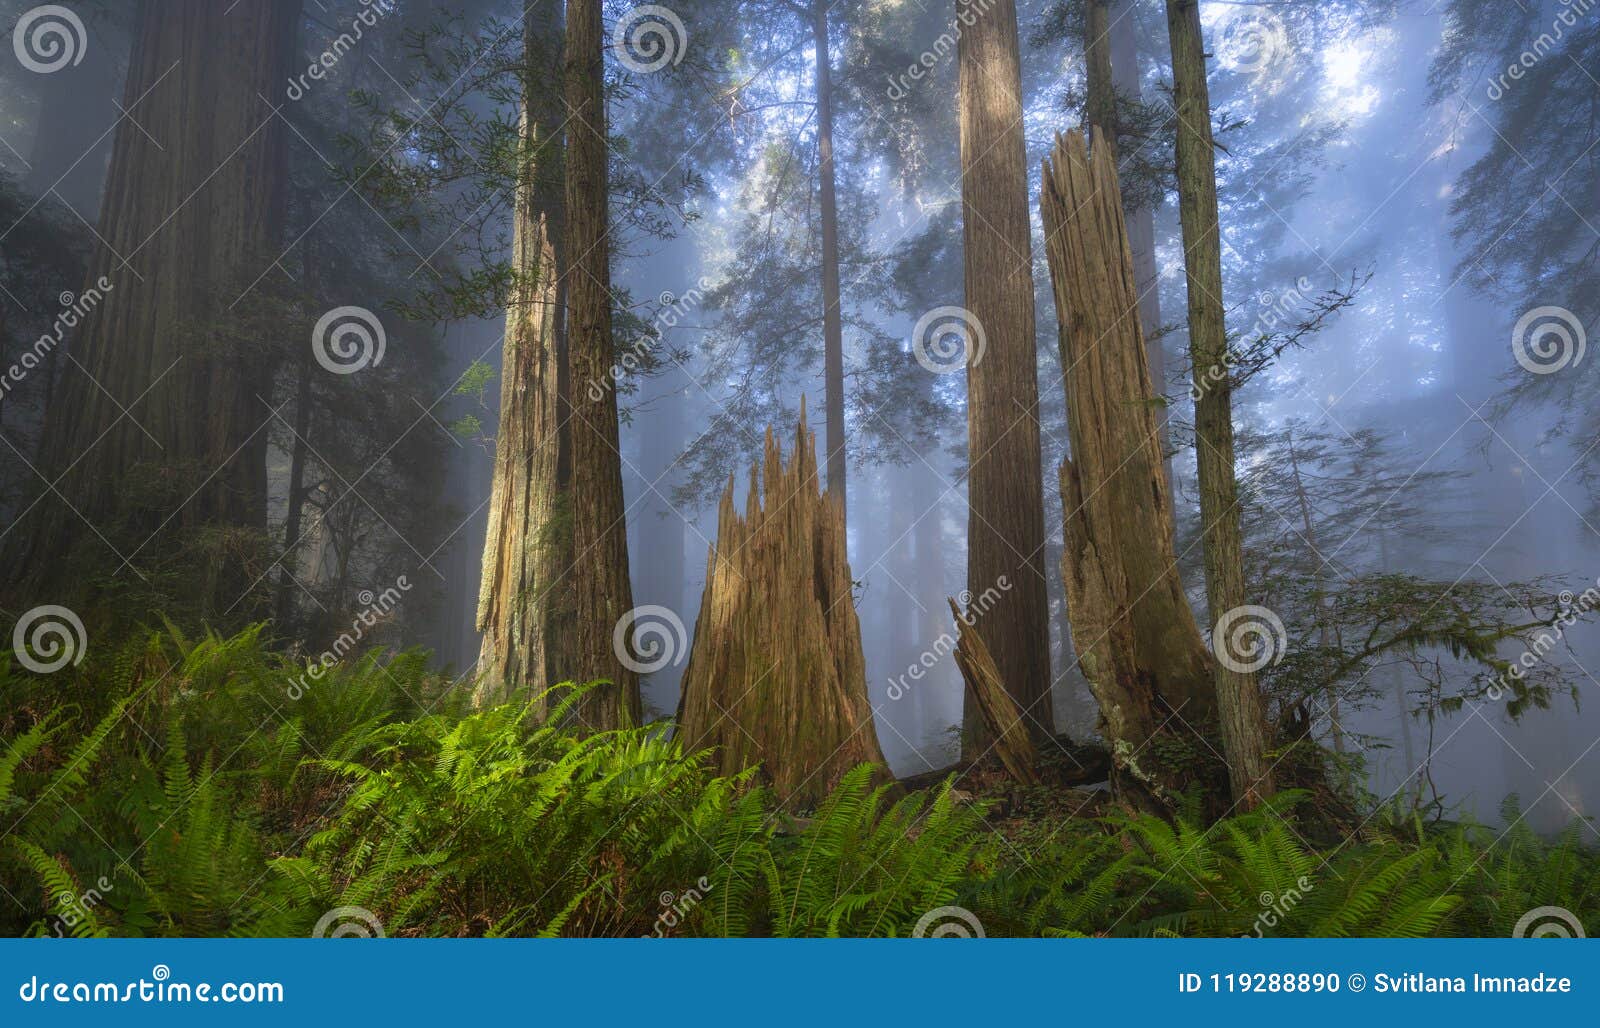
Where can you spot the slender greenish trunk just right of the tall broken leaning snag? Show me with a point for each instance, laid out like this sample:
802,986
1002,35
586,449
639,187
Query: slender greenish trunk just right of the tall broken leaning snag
1239,699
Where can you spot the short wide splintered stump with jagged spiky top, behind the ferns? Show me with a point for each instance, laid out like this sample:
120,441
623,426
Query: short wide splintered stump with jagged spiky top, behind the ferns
777,677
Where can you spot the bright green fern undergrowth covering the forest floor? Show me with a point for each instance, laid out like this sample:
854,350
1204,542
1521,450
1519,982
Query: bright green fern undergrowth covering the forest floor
210,787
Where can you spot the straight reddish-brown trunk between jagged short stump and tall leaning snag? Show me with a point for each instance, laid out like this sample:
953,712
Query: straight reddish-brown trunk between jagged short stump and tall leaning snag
1006,491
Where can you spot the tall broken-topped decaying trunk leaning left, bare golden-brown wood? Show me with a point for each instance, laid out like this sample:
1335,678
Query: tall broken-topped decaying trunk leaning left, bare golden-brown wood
1132,625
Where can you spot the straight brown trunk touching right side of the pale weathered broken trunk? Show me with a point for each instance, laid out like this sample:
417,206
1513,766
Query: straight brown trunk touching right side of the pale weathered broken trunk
599,574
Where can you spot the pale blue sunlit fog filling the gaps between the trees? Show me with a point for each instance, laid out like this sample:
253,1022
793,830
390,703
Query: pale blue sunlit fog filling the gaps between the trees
1340,167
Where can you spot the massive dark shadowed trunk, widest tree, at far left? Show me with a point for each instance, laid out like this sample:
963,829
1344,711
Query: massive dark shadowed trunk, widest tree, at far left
158,433
